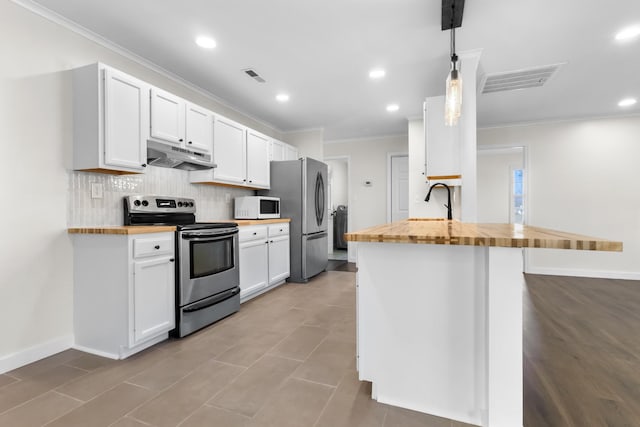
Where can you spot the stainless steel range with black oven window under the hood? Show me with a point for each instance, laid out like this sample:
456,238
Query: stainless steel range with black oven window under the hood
207,273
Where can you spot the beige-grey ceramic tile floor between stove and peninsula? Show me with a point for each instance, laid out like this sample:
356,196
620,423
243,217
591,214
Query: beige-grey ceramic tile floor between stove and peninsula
286,359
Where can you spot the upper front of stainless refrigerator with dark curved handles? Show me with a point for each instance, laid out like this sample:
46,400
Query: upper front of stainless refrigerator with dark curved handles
315,186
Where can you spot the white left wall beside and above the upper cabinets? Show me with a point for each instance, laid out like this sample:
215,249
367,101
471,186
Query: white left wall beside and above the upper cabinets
36,303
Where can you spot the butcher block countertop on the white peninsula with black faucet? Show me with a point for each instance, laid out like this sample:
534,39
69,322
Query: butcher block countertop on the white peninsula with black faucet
447,232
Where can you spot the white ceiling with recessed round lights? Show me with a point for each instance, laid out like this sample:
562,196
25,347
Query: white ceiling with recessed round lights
320,52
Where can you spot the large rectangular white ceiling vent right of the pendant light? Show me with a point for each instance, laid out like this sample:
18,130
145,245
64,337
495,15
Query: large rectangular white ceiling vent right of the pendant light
519,79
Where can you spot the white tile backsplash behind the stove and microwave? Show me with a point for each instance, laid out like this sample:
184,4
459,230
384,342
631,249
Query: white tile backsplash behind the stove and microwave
82,210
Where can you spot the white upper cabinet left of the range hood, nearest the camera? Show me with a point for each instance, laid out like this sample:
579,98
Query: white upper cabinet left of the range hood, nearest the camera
111,120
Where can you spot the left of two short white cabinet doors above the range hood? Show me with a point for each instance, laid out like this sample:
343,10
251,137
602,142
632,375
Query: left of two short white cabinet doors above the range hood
167,117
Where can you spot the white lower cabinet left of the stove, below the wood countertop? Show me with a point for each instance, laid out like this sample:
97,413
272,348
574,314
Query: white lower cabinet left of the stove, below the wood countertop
124,292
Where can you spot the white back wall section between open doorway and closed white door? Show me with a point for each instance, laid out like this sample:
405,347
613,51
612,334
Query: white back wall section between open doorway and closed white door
368,161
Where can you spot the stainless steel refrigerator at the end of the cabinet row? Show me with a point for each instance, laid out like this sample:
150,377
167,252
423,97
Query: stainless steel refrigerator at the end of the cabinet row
301,186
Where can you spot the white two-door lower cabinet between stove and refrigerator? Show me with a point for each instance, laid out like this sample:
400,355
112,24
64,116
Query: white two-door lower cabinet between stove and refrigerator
264,258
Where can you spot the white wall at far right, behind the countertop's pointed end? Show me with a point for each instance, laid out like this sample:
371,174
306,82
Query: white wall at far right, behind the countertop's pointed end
583,178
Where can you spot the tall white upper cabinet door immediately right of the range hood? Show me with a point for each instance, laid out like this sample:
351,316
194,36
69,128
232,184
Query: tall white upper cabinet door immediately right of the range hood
229,152
